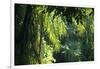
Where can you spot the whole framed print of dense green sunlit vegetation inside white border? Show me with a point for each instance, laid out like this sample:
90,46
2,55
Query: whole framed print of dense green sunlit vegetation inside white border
53,34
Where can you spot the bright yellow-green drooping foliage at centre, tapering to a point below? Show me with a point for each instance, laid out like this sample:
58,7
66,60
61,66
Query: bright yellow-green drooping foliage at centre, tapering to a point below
55,27
